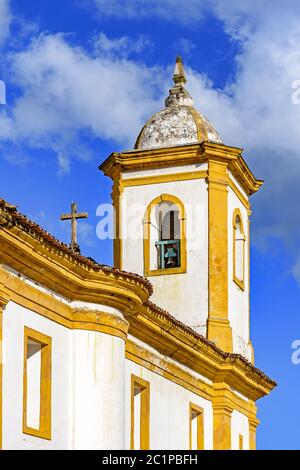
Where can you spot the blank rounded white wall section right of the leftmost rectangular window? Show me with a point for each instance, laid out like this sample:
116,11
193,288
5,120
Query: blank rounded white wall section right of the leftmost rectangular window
99,391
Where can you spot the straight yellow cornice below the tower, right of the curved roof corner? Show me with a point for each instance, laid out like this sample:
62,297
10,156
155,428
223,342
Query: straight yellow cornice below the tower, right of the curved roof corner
175,340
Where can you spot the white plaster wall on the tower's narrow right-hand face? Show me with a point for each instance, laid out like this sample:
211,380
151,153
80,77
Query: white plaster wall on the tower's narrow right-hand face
238,300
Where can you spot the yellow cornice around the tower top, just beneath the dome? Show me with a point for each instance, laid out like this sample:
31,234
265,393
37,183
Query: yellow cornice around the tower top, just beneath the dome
181,155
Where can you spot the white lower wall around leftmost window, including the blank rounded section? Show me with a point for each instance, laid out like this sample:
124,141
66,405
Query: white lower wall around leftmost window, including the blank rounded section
87,385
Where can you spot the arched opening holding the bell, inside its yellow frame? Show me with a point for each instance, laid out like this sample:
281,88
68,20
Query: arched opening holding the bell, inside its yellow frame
168,244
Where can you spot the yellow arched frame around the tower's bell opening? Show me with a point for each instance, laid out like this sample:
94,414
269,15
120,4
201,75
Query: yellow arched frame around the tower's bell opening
146,242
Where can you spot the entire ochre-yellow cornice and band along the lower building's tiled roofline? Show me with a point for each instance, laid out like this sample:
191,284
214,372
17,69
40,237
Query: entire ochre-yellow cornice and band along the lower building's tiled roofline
39,261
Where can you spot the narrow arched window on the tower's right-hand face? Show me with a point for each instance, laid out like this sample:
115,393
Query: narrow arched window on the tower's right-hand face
239,247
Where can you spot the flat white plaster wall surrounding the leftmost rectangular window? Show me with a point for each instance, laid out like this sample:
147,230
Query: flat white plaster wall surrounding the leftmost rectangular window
15,318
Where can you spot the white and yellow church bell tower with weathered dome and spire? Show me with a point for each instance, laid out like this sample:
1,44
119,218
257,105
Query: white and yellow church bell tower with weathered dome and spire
181,201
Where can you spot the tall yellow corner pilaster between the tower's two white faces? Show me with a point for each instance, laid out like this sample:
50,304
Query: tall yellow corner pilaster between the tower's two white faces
218,326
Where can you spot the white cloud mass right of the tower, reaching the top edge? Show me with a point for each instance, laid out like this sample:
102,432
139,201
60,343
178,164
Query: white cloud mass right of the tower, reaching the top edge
255,111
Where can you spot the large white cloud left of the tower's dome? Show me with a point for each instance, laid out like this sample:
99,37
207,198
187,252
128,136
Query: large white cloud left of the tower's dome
66,91
